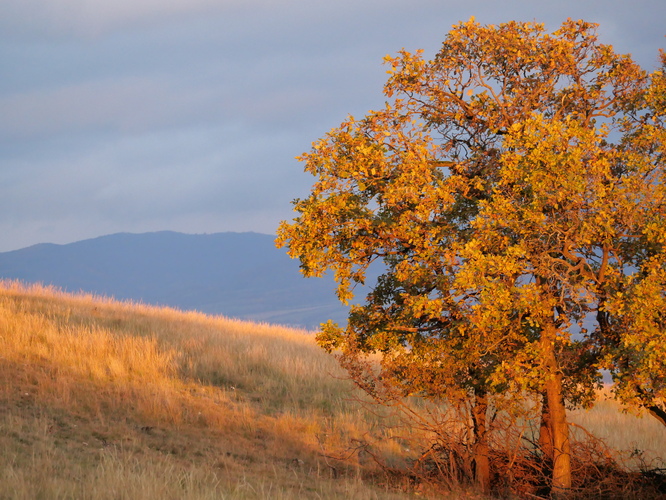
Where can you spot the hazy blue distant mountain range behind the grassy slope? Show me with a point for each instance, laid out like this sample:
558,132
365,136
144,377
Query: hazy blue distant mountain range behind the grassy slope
239,275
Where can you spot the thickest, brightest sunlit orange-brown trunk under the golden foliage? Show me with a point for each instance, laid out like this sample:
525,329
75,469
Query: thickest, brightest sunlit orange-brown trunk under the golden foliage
558,420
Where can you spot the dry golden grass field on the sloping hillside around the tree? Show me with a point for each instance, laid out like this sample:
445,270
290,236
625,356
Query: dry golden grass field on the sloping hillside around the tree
102,399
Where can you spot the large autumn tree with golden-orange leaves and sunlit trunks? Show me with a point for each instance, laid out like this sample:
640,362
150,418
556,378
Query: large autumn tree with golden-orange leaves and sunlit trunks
513,190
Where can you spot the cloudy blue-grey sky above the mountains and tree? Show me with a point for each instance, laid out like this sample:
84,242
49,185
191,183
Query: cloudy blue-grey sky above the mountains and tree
186,115
